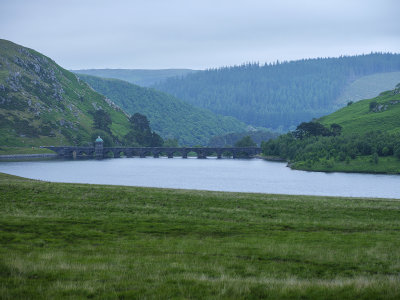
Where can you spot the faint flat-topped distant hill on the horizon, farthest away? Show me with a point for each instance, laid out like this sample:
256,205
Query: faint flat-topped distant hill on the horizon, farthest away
140,77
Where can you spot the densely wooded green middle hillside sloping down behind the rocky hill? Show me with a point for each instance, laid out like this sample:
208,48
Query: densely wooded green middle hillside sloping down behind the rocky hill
168,116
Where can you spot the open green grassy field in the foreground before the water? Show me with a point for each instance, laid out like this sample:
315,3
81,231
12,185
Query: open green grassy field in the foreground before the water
95,241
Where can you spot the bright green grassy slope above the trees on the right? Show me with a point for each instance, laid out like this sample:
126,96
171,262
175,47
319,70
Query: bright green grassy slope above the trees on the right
361,118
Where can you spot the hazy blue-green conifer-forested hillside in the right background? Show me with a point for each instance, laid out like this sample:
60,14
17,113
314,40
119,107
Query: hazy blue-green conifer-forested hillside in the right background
279,95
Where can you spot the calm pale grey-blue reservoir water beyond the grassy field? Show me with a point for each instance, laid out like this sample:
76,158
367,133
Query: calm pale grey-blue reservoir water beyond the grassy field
253,175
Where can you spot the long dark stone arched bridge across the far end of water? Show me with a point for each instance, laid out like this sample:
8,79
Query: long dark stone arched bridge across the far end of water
101,152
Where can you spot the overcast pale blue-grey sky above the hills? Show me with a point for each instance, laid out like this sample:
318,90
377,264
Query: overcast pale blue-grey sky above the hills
198,34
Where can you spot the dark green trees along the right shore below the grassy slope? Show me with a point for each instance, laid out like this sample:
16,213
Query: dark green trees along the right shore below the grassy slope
312,142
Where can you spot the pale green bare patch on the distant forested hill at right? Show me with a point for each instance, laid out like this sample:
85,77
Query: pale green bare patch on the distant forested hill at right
368,87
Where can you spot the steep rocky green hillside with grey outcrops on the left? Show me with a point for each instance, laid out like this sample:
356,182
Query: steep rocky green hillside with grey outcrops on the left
44,104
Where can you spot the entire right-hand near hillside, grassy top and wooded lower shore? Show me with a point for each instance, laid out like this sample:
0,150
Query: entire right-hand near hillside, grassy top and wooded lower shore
362,137
